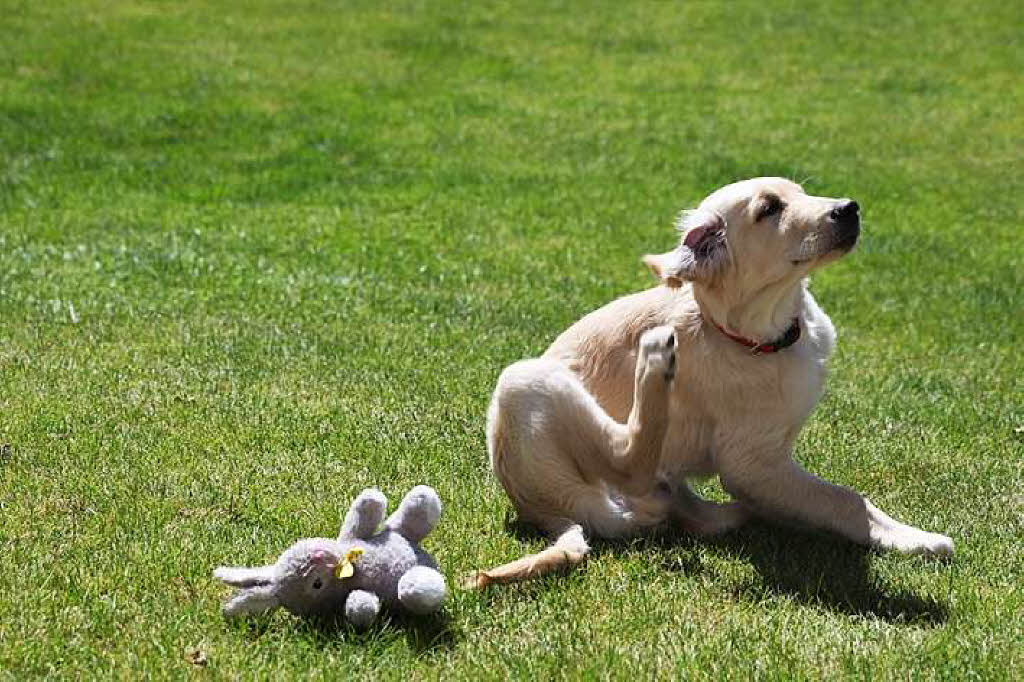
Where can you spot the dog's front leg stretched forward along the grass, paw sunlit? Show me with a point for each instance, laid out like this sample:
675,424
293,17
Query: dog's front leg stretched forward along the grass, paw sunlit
781,488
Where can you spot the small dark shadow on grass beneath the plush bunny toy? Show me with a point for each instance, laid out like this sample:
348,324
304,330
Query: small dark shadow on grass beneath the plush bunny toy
425,635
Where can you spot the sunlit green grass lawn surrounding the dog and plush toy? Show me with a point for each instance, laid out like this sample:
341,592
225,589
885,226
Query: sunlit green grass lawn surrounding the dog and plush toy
255,260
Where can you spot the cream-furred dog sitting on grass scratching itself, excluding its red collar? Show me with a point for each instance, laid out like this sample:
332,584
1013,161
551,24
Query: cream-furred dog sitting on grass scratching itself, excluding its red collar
598,436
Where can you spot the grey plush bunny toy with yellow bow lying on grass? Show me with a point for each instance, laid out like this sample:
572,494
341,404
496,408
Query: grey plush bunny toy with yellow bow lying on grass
359,573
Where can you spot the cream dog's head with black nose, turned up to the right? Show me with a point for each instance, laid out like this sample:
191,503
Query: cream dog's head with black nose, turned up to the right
756,233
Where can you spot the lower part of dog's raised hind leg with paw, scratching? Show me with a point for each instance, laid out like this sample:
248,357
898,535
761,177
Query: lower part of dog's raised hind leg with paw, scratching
636,446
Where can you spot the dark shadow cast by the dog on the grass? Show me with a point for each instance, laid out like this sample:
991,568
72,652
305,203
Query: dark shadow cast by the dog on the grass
816,569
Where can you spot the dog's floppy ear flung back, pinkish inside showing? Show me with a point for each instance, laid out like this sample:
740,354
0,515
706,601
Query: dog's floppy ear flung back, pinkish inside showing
702,253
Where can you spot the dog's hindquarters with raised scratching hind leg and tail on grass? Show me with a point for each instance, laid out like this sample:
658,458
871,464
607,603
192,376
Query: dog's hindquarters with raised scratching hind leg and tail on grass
568,465
